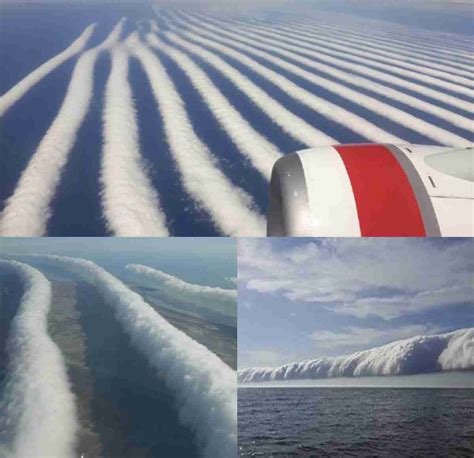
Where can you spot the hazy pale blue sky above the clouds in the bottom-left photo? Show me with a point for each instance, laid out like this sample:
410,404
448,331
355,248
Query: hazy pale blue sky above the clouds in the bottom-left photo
207,261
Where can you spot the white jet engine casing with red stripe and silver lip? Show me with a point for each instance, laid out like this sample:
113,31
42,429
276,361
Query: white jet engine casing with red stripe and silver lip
373,190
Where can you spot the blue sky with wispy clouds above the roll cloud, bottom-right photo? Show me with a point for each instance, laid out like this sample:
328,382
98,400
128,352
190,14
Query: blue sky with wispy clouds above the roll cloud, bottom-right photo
304,298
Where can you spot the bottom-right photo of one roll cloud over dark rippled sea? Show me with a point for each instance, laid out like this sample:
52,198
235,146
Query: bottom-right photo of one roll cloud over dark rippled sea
355,347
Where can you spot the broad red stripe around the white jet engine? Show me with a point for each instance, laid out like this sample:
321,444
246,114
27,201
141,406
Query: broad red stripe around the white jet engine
385,201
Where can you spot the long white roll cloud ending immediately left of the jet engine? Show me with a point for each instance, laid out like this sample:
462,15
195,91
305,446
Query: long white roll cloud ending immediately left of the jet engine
200,176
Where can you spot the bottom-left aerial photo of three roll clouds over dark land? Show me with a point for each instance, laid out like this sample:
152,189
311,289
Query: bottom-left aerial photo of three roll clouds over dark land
118,347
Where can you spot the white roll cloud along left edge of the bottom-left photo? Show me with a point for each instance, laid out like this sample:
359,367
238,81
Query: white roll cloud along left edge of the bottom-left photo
38,415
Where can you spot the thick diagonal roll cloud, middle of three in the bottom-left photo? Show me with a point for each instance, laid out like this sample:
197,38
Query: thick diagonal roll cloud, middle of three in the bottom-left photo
204,386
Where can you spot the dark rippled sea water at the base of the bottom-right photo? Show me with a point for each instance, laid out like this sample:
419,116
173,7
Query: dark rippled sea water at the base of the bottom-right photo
356,422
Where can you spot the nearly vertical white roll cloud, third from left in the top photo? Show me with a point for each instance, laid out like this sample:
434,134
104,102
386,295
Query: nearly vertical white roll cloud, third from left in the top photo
131,205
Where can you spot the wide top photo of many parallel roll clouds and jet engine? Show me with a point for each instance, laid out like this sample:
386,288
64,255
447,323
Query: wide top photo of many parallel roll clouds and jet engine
236,118
